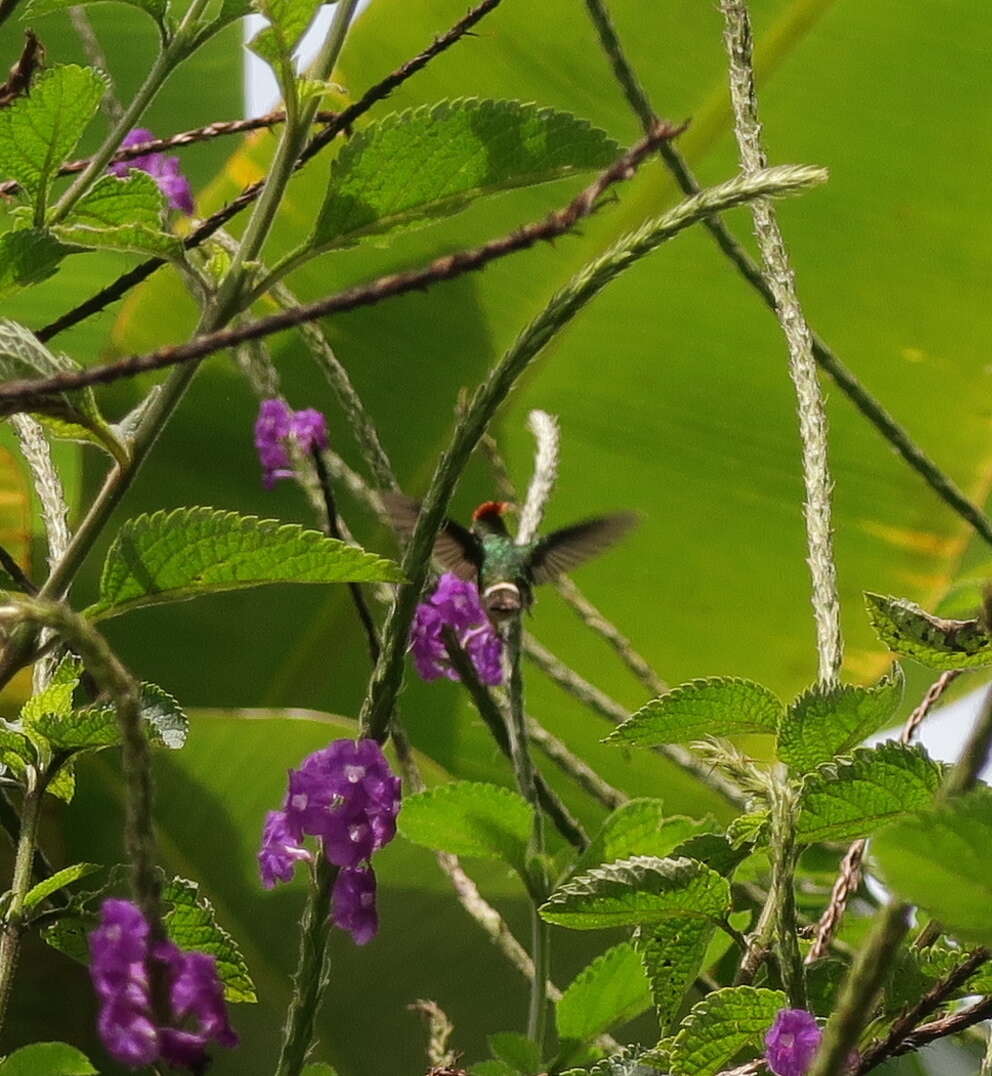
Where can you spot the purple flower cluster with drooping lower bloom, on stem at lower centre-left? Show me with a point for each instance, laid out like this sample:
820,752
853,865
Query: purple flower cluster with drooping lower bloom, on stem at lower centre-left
346,796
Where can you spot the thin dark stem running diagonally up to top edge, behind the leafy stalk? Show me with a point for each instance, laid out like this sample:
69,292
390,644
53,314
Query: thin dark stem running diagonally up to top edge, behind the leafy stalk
378,93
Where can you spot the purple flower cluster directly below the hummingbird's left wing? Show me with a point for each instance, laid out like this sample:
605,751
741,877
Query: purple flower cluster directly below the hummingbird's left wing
456,604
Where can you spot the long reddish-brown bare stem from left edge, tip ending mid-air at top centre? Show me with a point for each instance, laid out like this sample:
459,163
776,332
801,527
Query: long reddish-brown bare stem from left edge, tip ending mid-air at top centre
21,395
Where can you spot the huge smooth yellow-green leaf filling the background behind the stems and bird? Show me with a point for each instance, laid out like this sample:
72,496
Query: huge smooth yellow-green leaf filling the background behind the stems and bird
674,399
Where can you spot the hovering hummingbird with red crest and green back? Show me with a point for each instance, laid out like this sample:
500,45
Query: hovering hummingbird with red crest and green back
504,572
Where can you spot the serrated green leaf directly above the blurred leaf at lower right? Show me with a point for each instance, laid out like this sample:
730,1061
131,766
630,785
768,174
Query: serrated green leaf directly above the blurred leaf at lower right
854,798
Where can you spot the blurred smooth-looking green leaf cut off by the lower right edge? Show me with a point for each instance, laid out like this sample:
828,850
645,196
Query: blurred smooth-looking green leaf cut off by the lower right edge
940,860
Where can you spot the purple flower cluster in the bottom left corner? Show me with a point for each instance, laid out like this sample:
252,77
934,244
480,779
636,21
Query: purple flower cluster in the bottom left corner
121,951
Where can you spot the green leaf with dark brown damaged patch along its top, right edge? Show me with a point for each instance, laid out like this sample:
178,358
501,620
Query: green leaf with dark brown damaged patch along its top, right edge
940,644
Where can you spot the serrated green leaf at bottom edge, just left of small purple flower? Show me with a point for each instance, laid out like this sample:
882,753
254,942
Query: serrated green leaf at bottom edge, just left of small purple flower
725,1023
